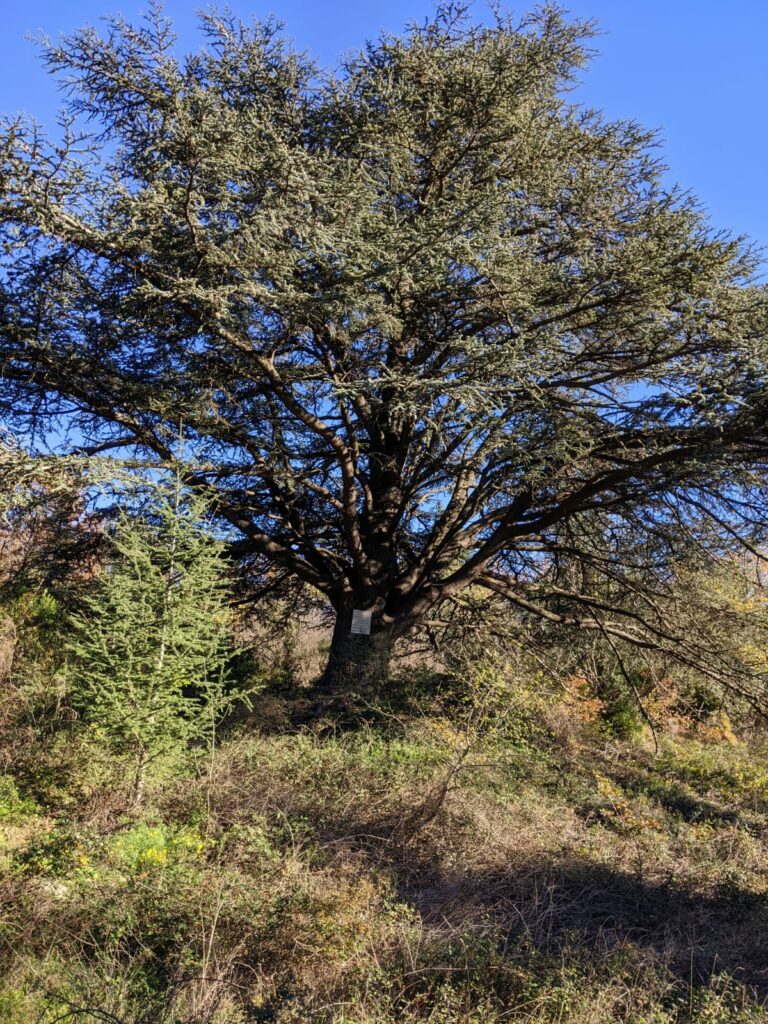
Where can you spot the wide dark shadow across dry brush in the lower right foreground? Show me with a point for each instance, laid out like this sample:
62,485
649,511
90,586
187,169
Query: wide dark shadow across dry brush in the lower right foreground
553,905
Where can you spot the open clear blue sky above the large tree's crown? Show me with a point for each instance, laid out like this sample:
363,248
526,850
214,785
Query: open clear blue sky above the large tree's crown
695,69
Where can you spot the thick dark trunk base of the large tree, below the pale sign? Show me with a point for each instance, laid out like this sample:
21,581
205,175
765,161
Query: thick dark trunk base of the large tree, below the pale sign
358,664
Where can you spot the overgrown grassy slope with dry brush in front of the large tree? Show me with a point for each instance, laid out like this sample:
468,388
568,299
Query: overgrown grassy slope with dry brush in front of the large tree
430,862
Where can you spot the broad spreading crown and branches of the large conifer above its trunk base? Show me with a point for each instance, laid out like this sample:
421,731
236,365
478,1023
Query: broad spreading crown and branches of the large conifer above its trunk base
422,323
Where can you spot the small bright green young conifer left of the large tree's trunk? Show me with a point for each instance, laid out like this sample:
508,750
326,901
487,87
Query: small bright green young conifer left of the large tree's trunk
150,656
